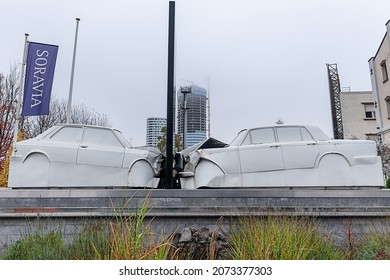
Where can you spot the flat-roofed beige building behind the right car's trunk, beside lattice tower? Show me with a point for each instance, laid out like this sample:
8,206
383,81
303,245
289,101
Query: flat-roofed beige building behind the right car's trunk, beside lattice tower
358,115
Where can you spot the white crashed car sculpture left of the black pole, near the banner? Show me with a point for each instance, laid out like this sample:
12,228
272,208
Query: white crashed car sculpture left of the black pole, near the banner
82,156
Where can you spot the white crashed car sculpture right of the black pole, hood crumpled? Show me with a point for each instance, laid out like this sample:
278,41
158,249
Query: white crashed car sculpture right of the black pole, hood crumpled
282,156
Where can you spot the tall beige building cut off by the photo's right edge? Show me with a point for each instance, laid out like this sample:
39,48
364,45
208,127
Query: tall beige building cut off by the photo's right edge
381,86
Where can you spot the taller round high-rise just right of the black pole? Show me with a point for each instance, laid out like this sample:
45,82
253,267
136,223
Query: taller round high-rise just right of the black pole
195,98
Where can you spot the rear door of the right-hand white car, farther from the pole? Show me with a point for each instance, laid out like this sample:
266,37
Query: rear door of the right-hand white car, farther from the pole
298,147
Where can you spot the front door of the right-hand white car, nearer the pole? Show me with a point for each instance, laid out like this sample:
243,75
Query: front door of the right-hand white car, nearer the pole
260,152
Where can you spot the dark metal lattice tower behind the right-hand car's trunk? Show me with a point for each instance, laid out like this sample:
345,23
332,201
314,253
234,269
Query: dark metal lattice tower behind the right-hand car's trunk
335,101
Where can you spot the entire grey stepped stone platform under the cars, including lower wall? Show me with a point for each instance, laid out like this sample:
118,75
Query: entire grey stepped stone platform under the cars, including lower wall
340,212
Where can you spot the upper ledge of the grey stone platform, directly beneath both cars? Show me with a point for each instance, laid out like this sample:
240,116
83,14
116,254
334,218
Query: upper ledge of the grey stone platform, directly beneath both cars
196,203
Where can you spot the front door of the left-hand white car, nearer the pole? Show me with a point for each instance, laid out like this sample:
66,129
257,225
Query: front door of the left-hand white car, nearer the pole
100,147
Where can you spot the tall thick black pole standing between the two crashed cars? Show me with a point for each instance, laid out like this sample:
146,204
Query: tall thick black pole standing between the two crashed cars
170,95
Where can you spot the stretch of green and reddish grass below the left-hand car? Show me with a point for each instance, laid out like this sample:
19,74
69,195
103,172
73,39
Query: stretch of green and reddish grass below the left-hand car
127,237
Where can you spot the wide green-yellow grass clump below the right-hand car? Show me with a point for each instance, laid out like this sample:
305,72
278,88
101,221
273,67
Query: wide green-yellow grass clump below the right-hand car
280,238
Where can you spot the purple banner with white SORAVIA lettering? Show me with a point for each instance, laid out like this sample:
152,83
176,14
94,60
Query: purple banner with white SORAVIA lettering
41,61
